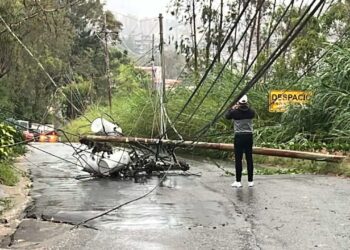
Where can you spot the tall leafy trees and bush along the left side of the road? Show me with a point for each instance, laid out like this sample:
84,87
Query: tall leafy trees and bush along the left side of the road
64,36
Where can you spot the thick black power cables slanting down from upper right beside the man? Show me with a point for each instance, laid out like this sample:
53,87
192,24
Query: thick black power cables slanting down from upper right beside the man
283,45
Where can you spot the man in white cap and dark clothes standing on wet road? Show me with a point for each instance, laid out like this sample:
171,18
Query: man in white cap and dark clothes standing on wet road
242,116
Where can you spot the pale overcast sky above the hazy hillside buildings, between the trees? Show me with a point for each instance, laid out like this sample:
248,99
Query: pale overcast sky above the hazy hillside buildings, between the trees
139,8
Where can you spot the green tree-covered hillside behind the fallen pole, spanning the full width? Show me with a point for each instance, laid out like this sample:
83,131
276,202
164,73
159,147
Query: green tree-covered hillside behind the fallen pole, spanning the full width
67,38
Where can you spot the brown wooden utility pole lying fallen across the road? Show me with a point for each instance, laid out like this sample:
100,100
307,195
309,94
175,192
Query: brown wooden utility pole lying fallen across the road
220,146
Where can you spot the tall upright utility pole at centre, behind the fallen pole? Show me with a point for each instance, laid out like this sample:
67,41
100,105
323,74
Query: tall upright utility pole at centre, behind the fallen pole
162,95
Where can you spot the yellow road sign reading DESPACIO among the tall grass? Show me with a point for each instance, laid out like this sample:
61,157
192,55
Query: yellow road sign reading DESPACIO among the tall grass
280,99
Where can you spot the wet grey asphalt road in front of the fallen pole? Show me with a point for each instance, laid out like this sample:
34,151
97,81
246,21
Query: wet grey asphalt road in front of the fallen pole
186,212
